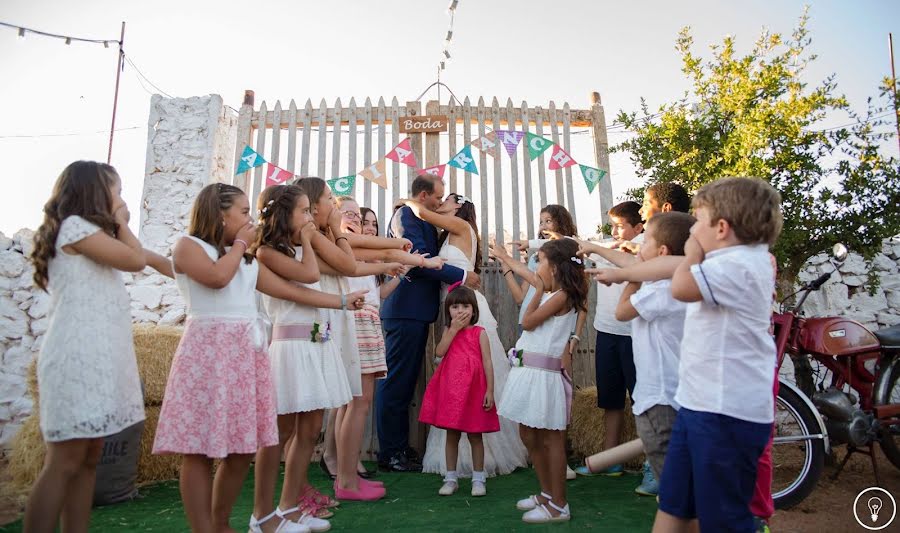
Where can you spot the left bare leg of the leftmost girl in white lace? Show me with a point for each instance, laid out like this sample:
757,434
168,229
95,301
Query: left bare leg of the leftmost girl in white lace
62,464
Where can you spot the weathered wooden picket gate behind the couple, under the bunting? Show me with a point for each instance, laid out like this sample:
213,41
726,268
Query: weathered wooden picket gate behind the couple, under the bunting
508,191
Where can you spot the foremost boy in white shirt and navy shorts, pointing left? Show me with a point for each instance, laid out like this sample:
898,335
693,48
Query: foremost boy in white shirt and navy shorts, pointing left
727,355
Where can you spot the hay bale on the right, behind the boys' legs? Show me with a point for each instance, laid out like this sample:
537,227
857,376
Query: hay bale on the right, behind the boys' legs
586,432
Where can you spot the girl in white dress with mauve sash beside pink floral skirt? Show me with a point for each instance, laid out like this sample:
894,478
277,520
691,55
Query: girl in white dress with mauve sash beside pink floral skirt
307,370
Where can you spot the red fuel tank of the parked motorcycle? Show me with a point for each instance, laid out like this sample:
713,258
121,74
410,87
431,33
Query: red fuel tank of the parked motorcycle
836,336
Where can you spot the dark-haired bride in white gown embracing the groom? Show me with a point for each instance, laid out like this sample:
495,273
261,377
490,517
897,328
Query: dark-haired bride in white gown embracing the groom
460,247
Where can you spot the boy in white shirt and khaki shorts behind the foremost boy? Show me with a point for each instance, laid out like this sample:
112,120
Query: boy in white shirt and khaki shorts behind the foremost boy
657,324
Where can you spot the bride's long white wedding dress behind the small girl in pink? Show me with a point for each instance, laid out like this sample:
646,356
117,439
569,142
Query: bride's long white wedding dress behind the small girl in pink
503,450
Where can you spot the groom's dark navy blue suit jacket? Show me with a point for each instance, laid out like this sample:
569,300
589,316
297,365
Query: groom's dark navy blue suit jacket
418,299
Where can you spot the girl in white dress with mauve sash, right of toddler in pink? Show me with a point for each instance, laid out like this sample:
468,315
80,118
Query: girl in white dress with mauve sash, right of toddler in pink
538,392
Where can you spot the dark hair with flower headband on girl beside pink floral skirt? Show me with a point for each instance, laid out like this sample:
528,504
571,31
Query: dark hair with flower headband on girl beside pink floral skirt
276,209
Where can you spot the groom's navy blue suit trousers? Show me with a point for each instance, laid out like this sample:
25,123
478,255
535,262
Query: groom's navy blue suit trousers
405,348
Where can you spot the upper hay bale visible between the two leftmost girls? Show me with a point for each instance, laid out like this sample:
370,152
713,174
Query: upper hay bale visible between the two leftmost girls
155,347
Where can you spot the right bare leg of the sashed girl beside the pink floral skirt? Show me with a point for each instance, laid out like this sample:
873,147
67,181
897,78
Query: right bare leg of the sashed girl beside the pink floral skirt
296,468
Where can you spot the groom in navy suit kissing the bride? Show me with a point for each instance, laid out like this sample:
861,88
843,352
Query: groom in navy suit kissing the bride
406,315
